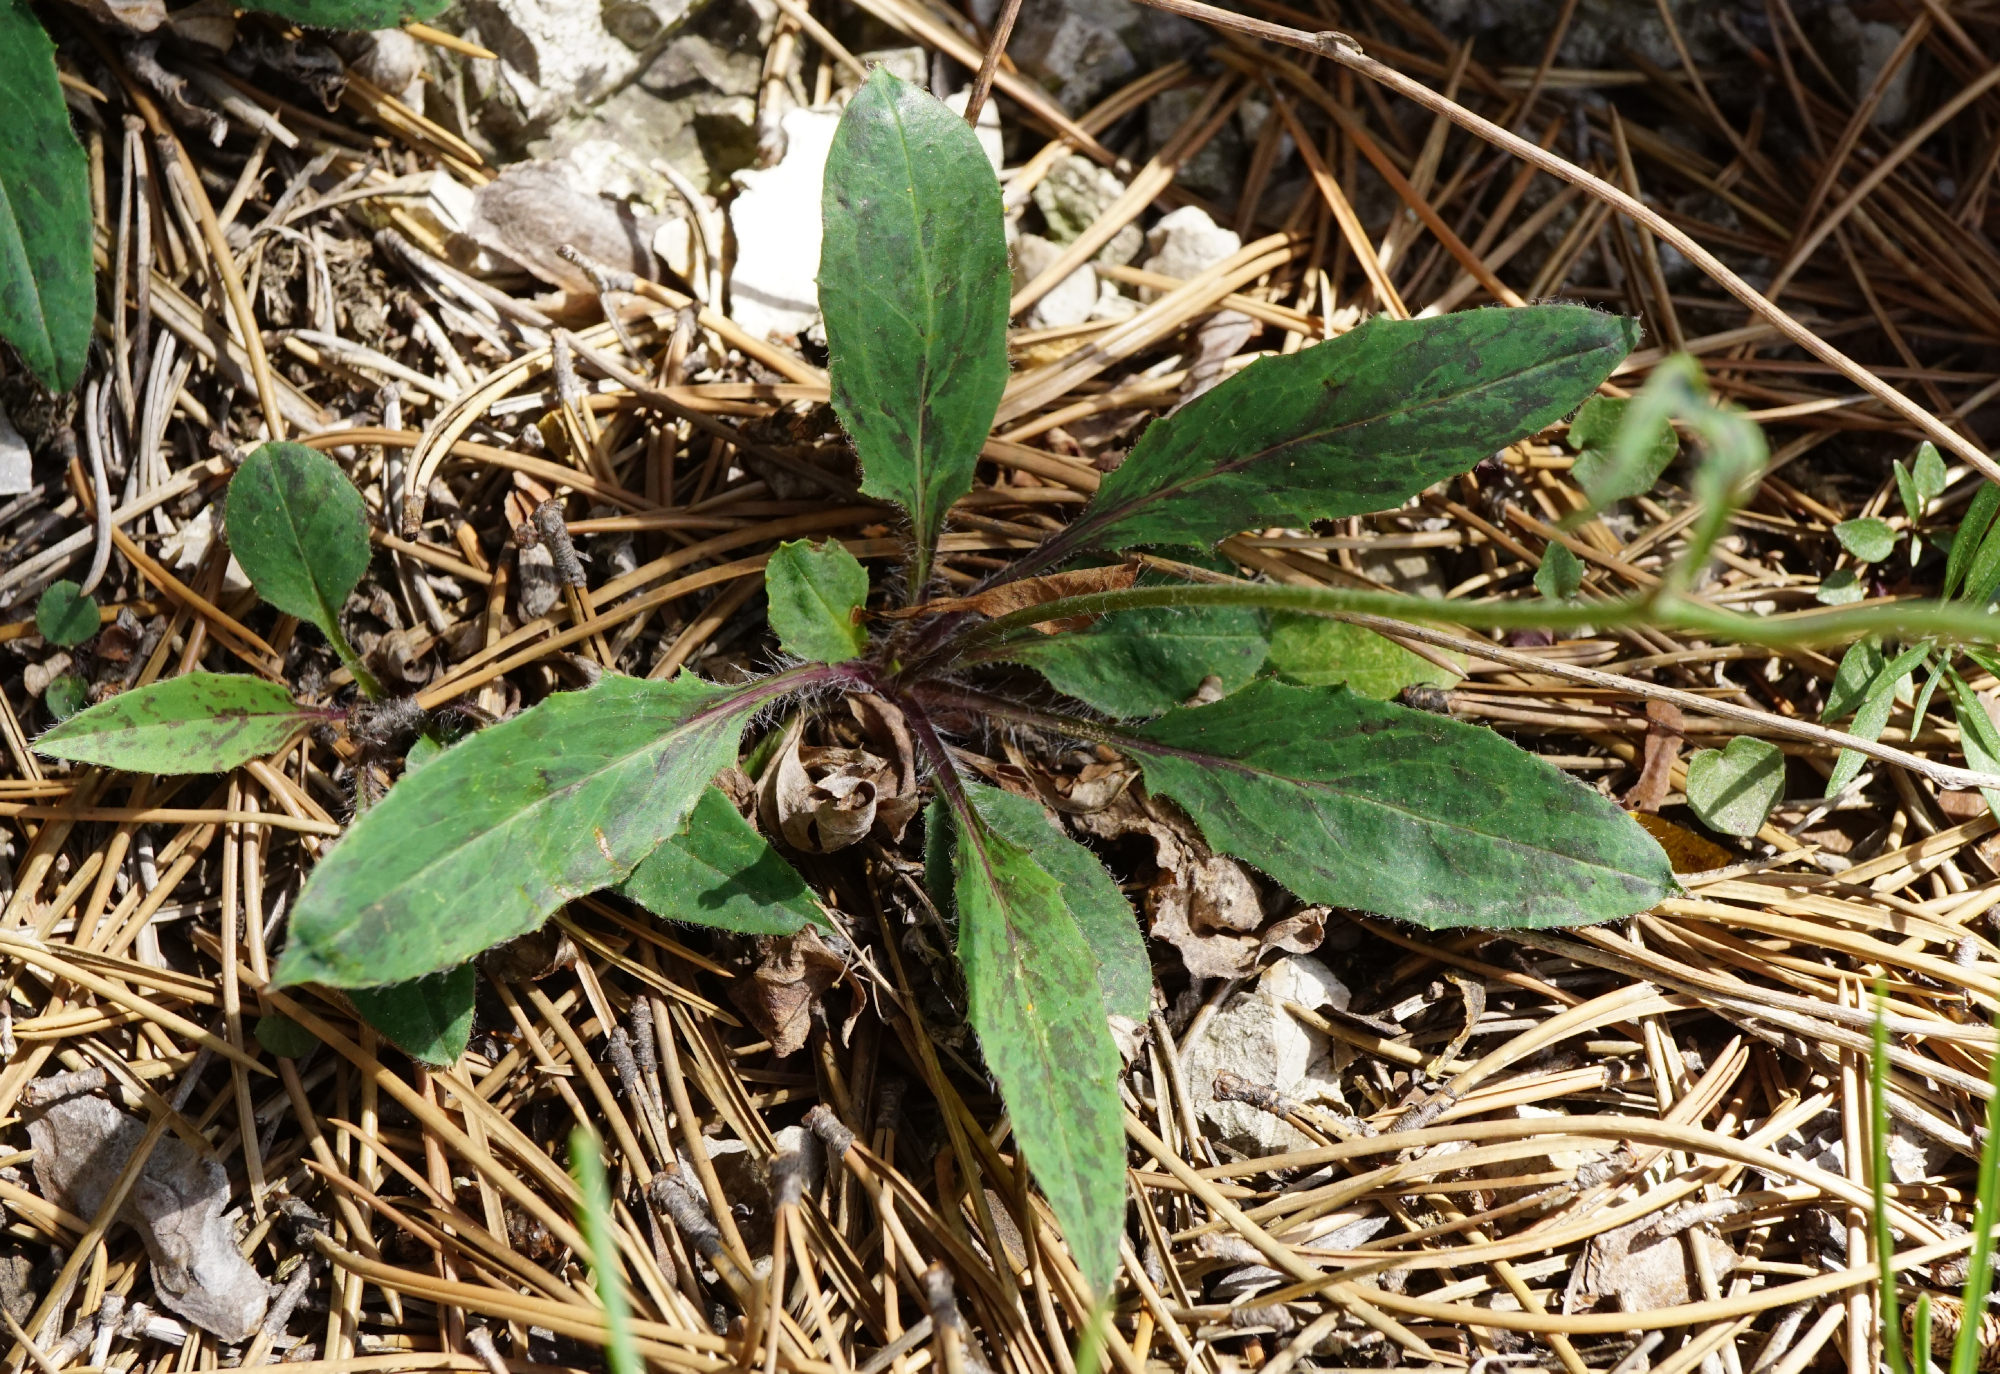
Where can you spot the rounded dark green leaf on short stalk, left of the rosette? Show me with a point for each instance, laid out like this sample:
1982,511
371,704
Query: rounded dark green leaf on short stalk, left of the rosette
301,533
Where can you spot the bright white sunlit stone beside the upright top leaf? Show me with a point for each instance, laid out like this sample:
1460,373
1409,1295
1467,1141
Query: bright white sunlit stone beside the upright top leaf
777,219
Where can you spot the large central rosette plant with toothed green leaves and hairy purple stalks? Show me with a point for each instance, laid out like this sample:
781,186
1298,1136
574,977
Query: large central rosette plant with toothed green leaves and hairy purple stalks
1341,799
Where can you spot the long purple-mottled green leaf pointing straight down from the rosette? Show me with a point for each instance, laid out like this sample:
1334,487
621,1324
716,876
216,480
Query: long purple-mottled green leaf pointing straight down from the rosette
1035,1001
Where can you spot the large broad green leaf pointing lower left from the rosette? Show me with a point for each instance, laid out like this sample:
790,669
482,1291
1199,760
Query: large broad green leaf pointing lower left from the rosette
497,833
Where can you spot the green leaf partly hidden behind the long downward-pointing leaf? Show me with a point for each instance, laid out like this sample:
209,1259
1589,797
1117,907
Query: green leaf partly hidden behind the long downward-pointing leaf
1099,909
